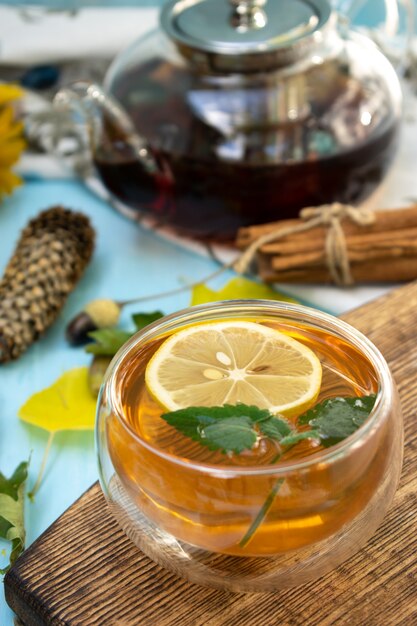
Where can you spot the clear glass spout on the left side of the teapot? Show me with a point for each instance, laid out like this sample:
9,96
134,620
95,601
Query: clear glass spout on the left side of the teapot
112,142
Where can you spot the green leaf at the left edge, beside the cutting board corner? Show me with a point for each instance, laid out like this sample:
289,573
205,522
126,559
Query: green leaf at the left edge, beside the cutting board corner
12,511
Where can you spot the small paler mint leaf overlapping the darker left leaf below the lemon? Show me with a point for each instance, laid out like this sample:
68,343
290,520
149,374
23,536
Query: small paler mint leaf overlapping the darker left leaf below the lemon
233,434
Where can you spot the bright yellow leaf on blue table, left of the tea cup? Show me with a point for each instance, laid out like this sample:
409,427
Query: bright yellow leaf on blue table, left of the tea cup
65,405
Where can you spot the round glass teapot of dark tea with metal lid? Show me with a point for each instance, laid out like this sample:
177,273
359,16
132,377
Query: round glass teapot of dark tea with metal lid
237,112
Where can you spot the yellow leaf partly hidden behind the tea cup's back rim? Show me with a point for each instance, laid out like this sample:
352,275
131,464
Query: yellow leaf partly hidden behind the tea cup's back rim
236,289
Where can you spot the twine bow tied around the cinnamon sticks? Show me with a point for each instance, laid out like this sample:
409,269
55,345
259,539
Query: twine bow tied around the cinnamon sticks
328,215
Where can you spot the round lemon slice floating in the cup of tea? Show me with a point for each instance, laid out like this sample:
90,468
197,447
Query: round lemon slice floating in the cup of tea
234,361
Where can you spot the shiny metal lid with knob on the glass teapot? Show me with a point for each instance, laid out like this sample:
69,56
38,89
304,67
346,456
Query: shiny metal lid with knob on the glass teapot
245,35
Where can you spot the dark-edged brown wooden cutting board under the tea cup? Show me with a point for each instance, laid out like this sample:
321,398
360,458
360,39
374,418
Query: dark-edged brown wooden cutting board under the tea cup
83,571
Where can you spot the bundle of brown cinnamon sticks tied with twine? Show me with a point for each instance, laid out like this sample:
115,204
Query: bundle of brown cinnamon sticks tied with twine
384,251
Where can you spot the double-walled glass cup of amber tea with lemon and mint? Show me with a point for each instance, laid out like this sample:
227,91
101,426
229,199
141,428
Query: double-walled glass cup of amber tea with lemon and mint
249,445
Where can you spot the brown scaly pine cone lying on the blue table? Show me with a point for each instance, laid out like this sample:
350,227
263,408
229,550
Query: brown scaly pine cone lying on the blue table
49,258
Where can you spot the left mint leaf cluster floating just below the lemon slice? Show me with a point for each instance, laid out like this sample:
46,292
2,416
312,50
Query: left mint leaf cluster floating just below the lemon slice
228,428
